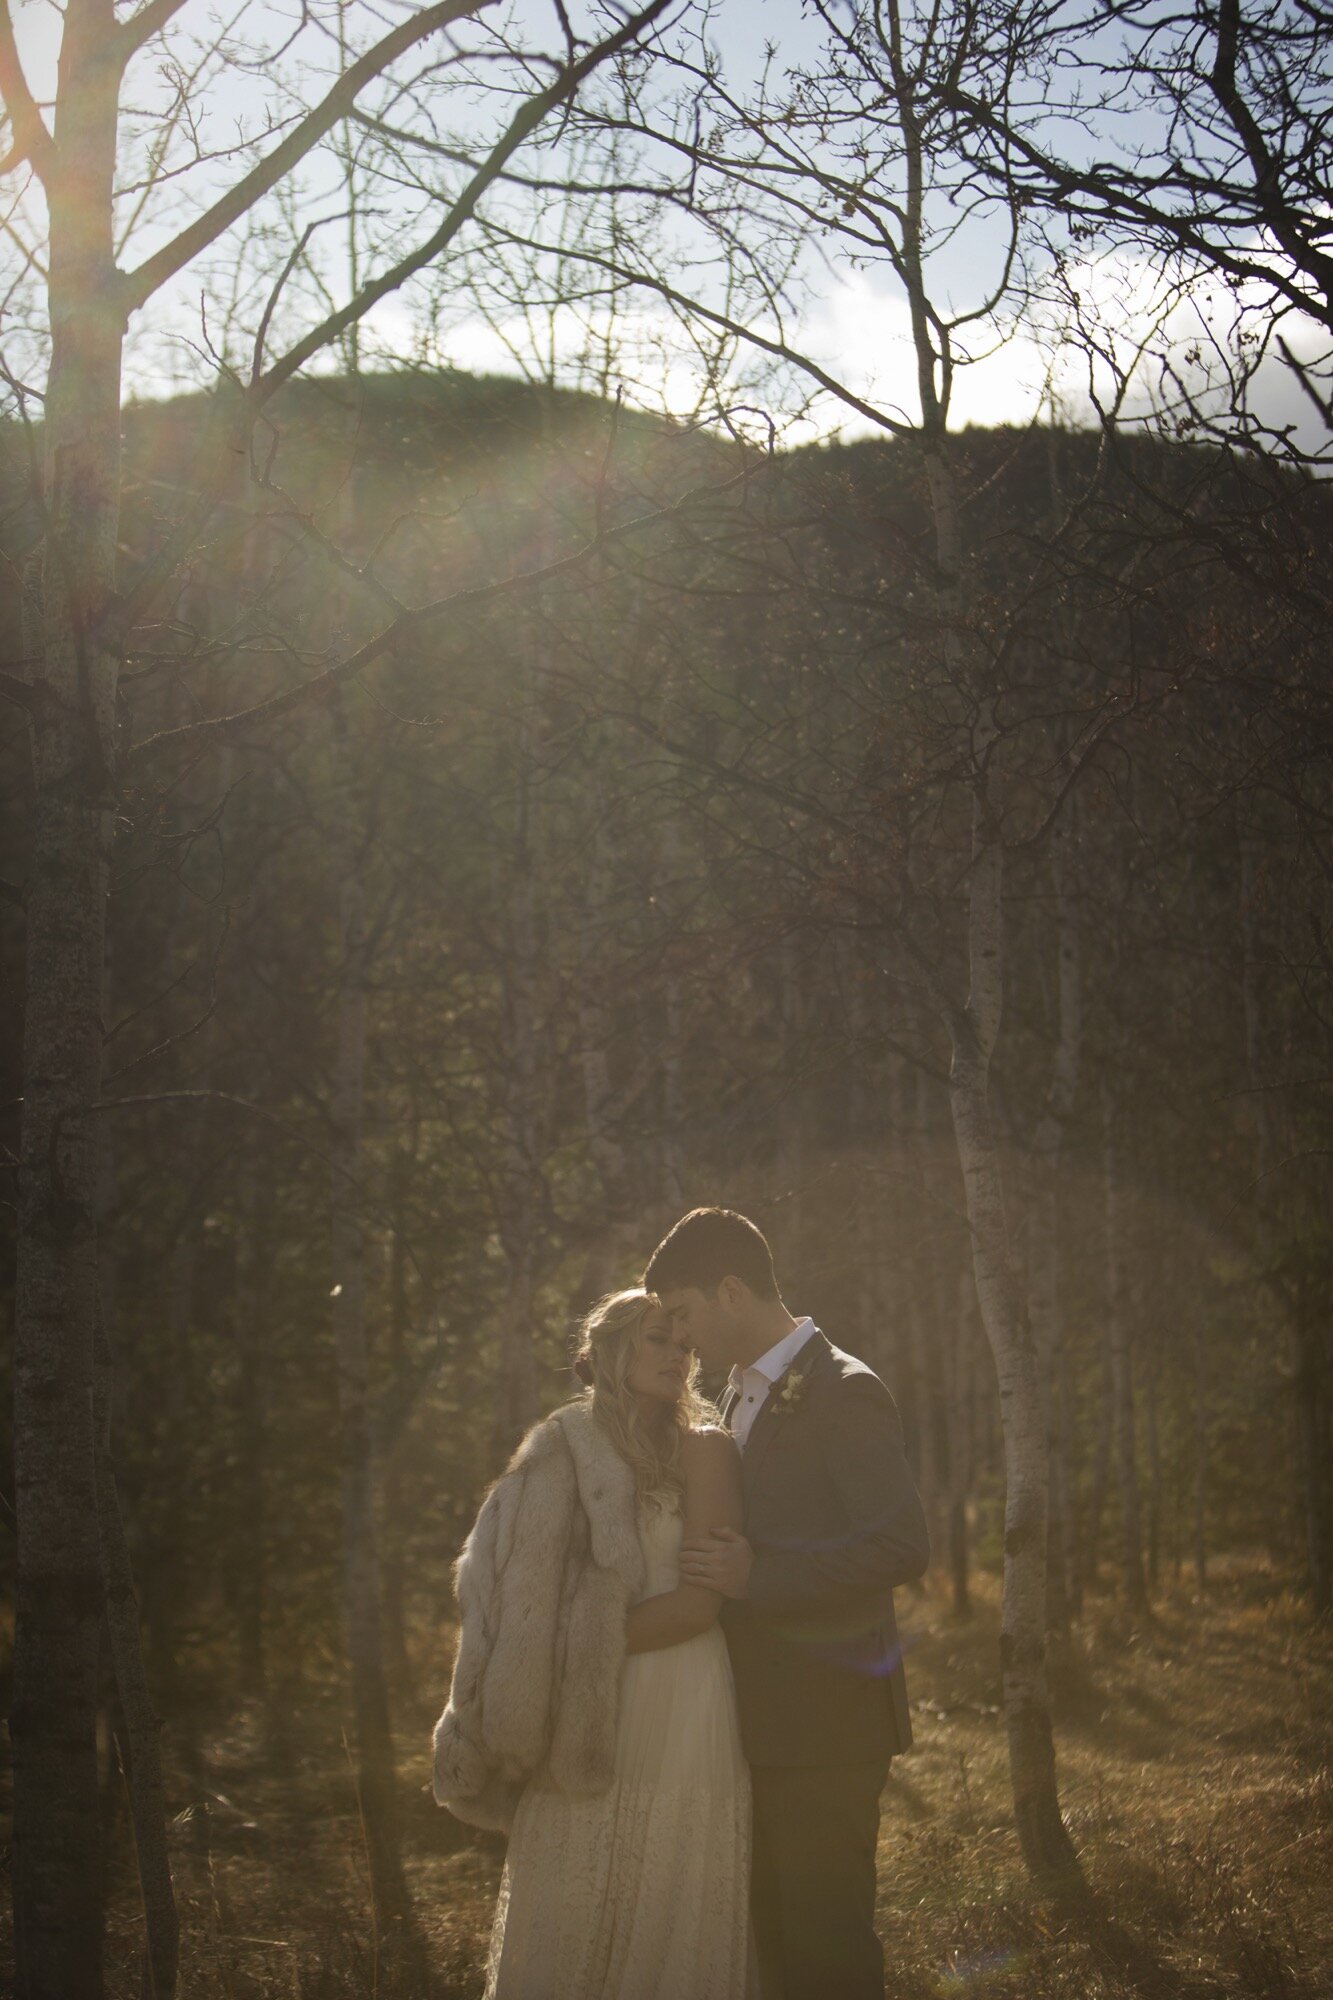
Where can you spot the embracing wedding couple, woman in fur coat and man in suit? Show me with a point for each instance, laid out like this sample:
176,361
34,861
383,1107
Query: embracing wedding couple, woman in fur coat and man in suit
680,1683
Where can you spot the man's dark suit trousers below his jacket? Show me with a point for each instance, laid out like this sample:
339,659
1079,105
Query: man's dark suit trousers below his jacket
814,1883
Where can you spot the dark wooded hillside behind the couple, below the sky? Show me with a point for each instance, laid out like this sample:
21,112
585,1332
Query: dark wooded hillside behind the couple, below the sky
437,991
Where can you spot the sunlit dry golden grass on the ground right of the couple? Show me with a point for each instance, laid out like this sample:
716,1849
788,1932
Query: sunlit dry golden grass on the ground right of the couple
1196,1779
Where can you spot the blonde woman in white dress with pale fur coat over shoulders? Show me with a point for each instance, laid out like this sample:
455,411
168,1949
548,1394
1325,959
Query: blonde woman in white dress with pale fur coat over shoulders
593,1711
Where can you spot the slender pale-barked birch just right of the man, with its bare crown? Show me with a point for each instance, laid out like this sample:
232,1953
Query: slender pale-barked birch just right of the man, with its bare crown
854,155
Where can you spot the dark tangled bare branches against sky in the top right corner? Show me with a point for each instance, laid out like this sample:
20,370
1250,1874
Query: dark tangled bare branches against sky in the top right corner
1200,149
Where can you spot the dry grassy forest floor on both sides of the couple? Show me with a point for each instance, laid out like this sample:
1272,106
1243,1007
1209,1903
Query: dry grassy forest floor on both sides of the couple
1196,1759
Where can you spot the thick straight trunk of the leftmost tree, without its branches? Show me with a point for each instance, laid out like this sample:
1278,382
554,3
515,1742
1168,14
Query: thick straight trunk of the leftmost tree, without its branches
59,1585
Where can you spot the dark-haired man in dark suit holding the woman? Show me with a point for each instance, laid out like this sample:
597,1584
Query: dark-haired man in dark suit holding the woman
832,1525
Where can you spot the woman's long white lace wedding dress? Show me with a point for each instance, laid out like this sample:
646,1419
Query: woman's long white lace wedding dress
641,1893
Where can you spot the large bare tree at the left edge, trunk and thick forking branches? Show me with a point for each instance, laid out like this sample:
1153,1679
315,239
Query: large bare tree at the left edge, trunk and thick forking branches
85,619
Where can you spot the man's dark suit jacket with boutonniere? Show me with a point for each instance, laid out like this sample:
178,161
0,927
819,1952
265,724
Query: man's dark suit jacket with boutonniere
836,1521
